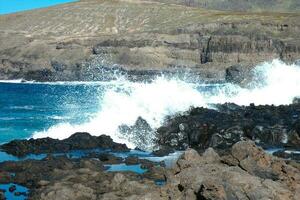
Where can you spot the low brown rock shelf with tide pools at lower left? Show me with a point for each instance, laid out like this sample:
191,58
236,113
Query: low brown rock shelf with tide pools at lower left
57,177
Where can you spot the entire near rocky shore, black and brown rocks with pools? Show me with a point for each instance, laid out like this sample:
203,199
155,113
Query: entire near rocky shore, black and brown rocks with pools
220,159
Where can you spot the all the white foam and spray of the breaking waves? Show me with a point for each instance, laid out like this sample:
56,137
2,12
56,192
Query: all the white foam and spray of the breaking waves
122,101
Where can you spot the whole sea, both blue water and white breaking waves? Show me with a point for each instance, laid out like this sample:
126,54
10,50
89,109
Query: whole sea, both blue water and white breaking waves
59,109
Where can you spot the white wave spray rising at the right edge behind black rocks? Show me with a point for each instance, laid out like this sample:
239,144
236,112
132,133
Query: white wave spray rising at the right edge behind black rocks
274,83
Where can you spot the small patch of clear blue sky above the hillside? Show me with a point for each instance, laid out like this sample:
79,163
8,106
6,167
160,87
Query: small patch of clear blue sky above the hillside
12,6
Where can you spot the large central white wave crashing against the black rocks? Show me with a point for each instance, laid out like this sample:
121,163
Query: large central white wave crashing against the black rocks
125,102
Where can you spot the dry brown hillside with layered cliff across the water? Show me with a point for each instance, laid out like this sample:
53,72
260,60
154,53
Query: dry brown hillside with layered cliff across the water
88,36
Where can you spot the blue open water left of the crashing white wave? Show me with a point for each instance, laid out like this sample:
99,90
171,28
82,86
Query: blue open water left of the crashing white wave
26,108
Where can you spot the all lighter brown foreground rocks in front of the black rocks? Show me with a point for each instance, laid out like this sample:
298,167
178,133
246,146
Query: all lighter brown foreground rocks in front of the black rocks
245,171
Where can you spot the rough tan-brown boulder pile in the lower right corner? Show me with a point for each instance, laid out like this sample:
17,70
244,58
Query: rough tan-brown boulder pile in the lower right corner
206,179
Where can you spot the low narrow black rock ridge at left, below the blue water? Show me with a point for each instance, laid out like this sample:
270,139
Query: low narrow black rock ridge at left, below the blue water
76,141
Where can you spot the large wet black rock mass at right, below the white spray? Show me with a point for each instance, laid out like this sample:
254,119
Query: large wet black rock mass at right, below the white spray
220,128
